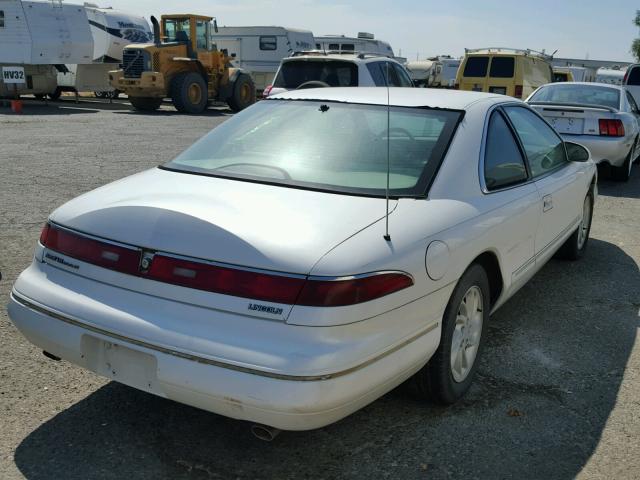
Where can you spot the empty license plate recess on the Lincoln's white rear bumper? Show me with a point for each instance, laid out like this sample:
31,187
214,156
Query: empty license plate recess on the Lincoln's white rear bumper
122,364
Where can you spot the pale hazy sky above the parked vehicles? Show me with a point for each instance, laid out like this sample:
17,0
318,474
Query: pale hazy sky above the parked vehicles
595,29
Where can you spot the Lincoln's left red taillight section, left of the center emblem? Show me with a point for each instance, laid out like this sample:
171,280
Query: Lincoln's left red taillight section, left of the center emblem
92,251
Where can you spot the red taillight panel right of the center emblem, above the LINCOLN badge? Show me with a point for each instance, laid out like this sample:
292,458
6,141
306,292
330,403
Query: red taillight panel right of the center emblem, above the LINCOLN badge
227,281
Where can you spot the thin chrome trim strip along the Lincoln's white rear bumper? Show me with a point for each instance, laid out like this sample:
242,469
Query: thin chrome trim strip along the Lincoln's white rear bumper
216,363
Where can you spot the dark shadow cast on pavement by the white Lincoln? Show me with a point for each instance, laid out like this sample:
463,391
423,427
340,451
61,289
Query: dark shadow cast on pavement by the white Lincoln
548,381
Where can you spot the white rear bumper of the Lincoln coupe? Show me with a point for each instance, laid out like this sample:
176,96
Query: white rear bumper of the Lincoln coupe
279,398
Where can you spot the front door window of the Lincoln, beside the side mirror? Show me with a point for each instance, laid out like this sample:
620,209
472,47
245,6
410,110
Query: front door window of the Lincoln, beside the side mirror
544,148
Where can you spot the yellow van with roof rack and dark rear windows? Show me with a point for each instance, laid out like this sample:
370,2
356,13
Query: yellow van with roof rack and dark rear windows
503,70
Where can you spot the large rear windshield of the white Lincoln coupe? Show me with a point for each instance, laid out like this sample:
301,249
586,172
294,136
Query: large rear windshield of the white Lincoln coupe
337,147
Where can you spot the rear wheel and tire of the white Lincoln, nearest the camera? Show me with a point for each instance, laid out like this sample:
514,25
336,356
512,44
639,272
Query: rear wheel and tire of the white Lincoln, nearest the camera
439,380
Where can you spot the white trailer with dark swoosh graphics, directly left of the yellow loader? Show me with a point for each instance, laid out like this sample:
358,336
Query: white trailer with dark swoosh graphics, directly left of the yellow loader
111,30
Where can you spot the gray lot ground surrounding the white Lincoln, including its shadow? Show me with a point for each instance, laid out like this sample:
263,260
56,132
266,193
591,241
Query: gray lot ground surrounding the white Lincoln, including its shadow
557,396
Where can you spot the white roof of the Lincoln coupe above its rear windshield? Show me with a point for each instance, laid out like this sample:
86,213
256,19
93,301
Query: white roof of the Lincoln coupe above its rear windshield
404,97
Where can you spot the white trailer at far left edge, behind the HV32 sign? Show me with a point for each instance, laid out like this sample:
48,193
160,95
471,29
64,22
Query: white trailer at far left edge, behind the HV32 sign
39,36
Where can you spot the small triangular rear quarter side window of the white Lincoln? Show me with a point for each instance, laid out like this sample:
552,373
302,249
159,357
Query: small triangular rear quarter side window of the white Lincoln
503,162
